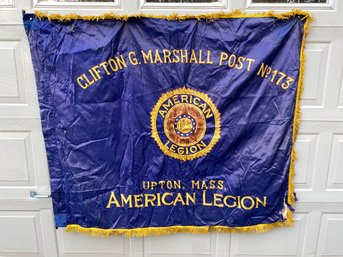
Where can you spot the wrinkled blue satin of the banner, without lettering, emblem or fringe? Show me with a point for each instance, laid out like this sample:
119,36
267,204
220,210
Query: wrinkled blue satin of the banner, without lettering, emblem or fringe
99,140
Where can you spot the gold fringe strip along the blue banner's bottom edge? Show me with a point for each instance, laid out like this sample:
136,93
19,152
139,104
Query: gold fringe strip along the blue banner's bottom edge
158,231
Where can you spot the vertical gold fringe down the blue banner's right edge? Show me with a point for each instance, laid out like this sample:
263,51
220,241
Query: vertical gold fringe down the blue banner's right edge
297,112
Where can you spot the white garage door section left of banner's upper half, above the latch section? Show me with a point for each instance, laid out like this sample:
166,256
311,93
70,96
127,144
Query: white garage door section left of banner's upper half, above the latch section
17,96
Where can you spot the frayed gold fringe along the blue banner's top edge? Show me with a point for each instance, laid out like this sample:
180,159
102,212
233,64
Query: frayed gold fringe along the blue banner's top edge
174,16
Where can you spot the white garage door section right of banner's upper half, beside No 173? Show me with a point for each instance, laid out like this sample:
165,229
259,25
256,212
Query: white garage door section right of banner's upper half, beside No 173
323,76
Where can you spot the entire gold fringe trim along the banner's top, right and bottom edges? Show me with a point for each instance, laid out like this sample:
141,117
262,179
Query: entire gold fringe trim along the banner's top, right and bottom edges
156,231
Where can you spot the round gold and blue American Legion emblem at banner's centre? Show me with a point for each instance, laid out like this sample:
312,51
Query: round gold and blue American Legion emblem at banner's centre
185,124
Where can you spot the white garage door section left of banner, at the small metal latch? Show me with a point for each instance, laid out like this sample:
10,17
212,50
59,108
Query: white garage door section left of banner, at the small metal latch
23,168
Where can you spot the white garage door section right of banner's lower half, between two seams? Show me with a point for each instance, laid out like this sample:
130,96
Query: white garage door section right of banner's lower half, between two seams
318,169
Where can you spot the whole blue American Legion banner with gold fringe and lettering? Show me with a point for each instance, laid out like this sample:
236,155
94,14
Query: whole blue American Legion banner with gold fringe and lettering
162,124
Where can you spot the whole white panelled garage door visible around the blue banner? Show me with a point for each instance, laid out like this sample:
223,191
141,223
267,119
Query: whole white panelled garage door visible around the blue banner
26,223
